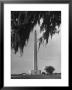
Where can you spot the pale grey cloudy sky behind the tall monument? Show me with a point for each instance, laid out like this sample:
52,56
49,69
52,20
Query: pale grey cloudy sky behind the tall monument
48,55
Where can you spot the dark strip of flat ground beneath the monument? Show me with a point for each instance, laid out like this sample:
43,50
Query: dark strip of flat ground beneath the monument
53,76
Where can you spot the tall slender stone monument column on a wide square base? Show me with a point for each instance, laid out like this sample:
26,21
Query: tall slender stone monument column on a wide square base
35,71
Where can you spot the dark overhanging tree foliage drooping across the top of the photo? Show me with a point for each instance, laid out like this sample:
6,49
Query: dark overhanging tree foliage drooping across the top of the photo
23,22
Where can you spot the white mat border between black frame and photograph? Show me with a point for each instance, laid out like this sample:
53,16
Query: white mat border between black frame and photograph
64,8
